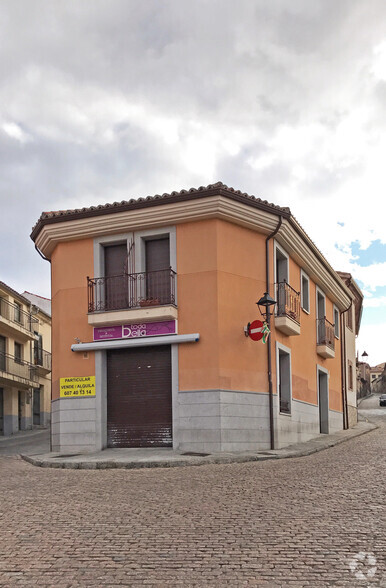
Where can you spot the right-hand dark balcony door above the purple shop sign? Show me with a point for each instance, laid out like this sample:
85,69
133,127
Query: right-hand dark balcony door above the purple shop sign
157,253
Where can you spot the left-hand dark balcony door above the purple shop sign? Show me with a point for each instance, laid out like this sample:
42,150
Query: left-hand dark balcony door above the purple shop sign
115,274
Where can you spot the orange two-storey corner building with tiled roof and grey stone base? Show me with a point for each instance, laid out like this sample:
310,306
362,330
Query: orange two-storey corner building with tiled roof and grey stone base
151,301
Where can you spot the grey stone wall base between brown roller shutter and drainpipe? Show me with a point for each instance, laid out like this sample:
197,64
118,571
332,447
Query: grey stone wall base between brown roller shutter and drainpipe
222,420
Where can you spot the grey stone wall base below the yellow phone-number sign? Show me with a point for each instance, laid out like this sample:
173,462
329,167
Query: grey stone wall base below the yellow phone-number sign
73,425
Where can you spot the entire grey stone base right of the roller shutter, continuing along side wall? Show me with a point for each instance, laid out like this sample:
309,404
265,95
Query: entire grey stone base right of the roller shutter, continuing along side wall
222,420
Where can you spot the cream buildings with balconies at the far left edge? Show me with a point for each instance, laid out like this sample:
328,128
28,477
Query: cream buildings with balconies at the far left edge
25,367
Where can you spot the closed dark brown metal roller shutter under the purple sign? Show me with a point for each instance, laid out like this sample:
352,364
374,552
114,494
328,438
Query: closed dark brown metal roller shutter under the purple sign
139,397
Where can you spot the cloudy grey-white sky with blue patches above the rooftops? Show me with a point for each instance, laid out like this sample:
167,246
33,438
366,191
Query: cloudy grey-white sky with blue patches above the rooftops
105,100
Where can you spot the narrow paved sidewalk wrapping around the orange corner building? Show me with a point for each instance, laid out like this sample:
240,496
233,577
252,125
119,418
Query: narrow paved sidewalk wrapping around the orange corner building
166,457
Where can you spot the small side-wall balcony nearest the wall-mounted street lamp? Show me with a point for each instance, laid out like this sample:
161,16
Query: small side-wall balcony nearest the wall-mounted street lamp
287,316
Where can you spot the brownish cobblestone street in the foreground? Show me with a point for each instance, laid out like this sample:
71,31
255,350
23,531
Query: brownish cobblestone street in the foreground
308,521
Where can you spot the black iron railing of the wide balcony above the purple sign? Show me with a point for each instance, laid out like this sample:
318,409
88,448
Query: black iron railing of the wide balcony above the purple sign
128,291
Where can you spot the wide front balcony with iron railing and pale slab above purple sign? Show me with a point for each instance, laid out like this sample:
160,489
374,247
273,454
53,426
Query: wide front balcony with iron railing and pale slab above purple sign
132,297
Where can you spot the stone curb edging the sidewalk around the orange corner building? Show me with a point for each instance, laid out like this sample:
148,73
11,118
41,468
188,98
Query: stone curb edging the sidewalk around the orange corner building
314,447
